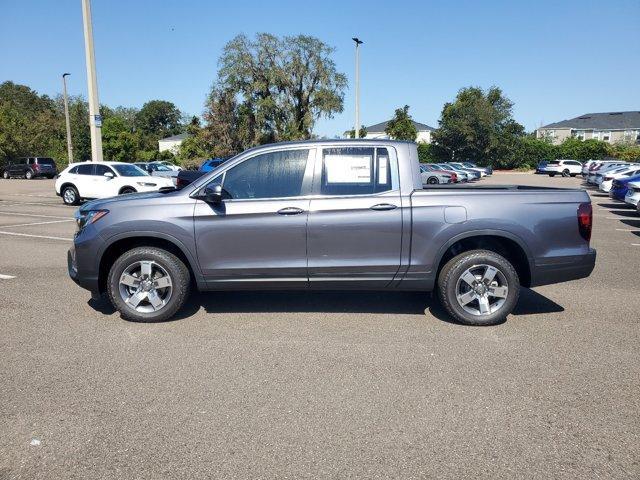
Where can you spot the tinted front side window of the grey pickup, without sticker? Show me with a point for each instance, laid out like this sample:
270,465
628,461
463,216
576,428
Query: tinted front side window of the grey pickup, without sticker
270,175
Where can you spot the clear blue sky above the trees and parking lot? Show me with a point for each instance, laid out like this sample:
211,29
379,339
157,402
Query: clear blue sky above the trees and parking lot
554,59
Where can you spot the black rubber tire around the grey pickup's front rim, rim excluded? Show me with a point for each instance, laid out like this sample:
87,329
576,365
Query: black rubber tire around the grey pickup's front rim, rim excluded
175,268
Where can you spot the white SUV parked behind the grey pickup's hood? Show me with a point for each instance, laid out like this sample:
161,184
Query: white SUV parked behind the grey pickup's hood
104,179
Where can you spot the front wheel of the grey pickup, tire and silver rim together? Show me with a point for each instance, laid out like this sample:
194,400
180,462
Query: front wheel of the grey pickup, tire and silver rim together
148,284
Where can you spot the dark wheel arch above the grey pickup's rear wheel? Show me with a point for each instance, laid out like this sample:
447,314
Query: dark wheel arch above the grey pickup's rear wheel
503,243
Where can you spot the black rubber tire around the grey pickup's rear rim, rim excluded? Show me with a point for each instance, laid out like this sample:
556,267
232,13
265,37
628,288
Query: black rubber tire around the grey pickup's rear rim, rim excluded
450,277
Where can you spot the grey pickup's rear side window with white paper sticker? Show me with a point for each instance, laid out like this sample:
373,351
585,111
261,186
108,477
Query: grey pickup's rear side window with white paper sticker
356,171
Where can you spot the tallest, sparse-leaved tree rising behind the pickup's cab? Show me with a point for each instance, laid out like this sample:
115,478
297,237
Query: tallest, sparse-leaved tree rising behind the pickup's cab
271,89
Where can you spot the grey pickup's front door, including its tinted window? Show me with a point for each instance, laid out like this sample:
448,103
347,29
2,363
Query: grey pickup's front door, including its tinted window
257,236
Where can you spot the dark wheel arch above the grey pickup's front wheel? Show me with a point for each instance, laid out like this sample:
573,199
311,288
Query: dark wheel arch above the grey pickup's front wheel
123,243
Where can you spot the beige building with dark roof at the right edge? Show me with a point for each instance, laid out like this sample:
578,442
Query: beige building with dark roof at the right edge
612,127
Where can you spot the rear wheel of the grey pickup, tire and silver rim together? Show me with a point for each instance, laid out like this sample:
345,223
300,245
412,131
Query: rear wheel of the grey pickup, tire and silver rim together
478,287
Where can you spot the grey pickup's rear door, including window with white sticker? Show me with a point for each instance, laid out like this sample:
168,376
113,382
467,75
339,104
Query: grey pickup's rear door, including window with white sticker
355,219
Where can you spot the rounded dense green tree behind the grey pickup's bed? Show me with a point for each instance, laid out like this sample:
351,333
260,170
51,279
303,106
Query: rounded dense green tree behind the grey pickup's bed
478,126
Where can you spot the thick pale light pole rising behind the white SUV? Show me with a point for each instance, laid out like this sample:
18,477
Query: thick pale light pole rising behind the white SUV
95,120
